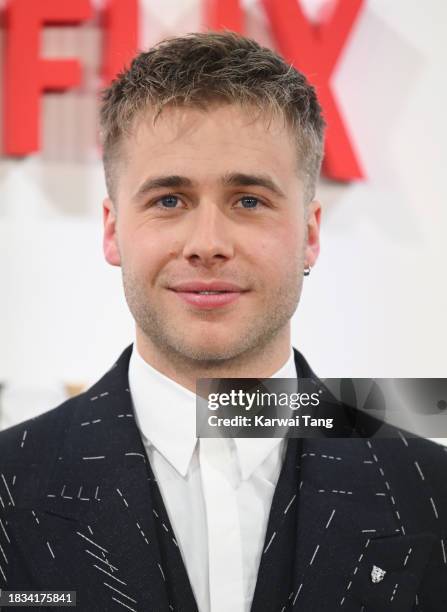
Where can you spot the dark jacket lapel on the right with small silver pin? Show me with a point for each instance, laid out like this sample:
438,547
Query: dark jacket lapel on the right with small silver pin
346,525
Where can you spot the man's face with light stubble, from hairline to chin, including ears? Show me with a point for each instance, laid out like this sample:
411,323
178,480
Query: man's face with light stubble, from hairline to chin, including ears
210,200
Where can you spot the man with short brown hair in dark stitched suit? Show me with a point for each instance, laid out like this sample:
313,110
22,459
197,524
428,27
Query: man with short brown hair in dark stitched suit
212,149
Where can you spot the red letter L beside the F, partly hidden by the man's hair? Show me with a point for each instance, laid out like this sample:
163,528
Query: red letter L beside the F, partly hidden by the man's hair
120,36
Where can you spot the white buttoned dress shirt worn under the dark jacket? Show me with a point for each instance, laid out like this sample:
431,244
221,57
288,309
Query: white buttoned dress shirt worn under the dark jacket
217,492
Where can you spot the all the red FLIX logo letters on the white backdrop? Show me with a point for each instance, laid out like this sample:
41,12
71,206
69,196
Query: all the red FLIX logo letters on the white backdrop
312,48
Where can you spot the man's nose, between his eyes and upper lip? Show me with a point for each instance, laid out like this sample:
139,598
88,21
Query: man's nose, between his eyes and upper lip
209,240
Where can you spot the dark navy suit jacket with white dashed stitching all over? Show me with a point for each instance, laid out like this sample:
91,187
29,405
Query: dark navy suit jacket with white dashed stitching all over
80,510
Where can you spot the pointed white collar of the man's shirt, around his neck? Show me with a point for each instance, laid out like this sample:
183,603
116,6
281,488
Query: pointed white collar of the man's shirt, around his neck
165,413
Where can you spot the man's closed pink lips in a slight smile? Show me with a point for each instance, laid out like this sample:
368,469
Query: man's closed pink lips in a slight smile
208,294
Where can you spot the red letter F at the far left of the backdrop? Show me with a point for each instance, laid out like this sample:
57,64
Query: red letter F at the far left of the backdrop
26,74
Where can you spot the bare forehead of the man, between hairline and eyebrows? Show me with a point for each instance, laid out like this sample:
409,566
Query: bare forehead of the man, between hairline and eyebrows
206,144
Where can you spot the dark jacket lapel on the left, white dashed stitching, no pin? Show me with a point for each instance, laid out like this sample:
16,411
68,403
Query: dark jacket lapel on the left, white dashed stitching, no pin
100,511
